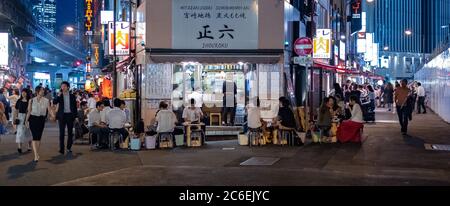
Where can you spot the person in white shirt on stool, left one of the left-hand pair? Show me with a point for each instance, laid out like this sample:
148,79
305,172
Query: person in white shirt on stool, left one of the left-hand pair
97,127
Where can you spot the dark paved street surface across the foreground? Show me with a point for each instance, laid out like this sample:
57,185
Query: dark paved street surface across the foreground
385,158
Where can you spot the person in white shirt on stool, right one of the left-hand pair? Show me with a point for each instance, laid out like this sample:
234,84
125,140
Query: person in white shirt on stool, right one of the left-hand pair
116,119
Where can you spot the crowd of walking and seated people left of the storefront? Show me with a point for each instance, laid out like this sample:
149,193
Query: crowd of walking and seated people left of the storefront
28,111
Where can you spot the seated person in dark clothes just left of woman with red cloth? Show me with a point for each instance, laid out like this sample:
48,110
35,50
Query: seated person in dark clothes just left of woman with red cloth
325,117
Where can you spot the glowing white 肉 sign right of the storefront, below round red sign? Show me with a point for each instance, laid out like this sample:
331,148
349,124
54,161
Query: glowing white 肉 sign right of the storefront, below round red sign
322,44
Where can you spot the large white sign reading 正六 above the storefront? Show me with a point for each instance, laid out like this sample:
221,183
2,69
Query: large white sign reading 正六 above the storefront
206,24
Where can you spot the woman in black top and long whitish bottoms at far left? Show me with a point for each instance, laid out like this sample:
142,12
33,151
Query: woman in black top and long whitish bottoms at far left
20,114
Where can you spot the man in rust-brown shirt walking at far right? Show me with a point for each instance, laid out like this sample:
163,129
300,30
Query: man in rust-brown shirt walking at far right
401,96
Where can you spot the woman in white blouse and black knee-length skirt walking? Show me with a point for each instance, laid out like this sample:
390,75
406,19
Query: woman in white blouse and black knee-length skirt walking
38,108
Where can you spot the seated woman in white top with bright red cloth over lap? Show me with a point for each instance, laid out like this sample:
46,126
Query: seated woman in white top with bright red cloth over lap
350,130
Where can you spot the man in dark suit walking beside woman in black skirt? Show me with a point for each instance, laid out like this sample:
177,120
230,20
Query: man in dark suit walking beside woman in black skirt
66,107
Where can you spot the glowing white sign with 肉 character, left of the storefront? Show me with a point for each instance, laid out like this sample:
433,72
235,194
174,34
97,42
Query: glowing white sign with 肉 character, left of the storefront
122,38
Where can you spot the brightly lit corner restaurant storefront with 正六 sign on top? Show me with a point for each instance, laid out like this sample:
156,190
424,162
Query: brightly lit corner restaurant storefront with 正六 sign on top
197,45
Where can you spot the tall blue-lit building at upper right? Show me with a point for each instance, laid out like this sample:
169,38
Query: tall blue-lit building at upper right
408,32
